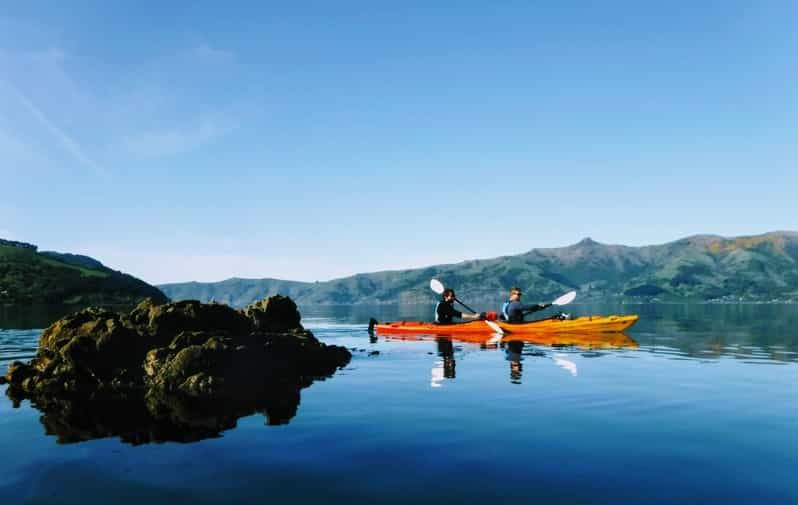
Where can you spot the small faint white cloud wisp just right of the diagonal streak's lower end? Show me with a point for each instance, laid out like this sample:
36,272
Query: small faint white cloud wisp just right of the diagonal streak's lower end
167,142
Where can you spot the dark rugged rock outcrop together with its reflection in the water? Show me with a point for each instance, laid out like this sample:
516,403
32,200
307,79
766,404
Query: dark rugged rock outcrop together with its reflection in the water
180,371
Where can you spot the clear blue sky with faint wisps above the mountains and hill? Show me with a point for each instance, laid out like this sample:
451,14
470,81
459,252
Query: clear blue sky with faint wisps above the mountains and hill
313,140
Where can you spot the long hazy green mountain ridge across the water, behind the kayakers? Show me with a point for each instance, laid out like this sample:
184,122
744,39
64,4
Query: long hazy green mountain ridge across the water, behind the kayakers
698,268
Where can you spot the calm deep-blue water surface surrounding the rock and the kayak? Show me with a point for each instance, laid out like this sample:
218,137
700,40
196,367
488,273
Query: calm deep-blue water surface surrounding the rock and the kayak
699,407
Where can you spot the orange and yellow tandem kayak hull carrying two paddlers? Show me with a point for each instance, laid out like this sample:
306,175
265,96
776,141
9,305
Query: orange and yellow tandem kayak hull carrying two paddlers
586,324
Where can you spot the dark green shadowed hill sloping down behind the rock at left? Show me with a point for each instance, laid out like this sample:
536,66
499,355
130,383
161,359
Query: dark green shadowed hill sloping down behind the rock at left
28,276
